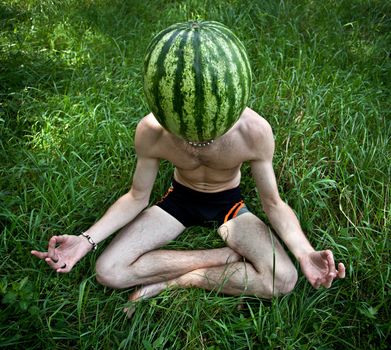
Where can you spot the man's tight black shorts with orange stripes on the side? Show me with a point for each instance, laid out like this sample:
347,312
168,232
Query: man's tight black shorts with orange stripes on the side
193,208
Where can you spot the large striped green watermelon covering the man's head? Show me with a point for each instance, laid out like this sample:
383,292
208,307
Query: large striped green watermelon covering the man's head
197,79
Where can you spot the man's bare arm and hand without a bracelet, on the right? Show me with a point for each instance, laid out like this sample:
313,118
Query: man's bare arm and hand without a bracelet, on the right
318,267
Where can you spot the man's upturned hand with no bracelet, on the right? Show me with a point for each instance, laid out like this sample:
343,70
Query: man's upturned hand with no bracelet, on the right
319,268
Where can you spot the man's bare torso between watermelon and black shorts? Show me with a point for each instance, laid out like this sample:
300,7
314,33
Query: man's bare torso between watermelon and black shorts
215,167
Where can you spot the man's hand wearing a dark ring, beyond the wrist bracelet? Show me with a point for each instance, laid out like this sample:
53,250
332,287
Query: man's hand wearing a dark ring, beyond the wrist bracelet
64,252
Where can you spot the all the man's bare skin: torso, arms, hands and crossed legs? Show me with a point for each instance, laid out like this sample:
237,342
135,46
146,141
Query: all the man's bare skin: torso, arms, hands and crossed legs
252,263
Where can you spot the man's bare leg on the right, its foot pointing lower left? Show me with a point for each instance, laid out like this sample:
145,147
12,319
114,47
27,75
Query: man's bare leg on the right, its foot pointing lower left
267,270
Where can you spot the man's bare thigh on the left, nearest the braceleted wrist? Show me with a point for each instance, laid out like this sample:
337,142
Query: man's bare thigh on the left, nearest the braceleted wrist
150,230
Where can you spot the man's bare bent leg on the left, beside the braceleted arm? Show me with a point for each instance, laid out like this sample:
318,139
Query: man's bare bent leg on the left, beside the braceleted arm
132,259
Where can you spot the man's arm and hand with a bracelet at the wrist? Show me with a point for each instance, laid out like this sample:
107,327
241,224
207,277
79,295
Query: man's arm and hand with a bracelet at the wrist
66,250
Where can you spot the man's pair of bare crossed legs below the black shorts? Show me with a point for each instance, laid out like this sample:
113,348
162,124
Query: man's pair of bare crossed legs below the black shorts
254,262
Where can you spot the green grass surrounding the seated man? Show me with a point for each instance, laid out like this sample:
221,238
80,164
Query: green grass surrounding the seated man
70,97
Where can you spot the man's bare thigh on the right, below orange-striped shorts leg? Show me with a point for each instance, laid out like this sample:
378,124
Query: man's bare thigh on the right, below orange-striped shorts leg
251,238
